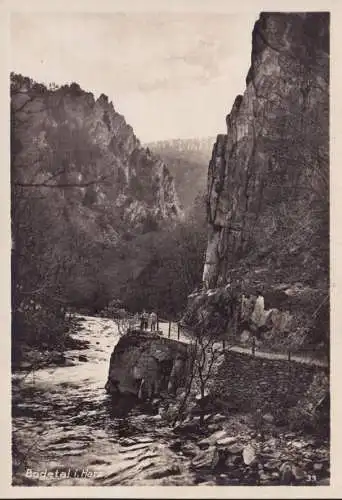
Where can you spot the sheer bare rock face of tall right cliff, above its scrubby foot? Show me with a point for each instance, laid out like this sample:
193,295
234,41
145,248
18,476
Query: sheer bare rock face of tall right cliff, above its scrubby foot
271,168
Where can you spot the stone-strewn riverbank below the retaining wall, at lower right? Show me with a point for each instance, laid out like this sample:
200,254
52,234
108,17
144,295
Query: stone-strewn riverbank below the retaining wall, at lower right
231,451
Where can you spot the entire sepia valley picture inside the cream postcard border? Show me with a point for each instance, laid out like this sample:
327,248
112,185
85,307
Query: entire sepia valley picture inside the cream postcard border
170,248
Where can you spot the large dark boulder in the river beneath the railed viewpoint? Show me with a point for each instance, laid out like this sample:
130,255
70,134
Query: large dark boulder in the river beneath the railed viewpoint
143,364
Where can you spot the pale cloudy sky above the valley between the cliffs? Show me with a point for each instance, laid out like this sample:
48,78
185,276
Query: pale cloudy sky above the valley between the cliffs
171,75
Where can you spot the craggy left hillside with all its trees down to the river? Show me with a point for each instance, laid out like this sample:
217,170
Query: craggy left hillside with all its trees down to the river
95,216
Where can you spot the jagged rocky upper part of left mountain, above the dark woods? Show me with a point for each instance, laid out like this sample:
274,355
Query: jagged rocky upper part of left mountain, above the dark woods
63,136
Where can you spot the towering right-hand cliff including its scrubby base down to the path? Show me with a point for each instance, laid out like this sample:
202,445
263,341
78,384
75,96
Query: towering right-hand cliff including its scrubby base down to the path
268,179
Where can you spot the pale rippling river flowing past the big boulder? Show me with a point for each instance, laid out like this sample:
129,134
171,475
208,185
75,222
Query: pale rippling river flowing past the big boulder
68,431
